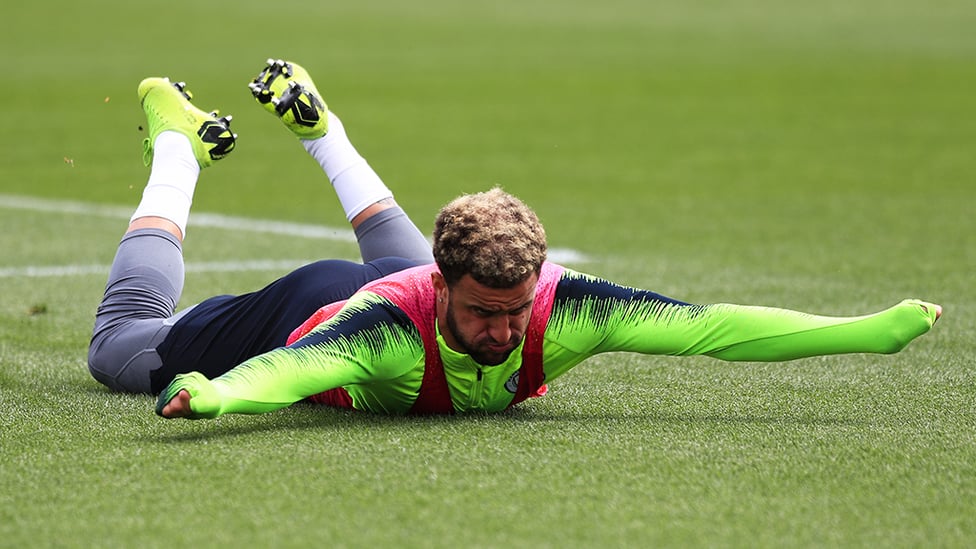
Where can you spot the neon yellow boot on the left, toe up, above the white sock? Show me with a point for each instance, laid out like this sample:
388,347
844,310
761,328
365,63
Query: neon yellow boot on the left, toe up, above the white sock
167,107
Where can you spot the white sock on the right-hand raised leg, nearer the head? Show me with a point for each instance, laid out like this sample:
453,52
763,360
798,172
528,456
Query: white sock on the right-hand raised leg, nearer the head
354,181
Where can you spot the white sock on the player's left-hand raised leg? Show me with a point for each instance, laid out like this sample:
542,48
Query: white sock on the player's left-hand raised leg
172,180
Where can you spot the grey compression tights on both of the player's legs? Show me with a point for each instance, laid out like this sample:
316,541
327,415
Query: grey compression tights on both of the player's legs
146,281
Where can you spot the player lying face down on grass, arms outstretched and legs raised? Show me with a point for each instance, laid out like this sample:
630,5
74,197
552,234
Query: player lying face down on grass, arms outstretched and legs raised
483,327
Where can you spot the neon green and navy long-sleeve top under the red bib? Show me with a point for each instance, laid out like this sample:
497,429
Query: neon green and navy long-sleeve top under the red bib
373,350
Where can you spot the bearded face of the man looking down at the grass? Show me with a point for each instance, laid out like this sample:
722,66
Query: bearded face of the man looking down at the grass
486,323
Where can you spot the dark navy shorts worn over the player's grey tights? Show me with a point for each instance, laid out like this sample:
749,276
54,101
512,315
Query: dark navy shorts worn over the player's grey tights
223,331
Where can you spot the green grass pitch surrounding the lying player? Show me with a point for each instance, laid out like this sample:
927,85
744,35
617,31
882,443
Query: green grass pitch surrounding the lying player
811,155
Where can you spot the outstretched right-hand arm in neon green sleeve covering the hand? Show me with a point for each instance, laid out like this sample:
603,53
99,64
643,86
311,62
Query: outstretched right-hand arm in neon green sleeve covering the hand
602,317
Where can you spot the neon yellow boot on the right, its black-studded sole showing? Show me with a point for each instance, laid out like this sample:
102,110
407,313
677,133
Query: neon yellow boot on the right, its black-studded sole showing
286,90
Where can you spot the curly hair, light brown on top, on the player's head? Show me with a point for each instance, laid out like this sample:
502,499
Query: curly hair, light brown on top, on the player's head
492,236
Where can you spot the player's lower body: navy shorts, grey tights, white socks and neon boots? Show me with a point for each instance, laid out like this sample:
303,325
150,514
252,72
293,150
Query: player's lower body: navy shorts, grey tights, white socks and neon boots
138,344
